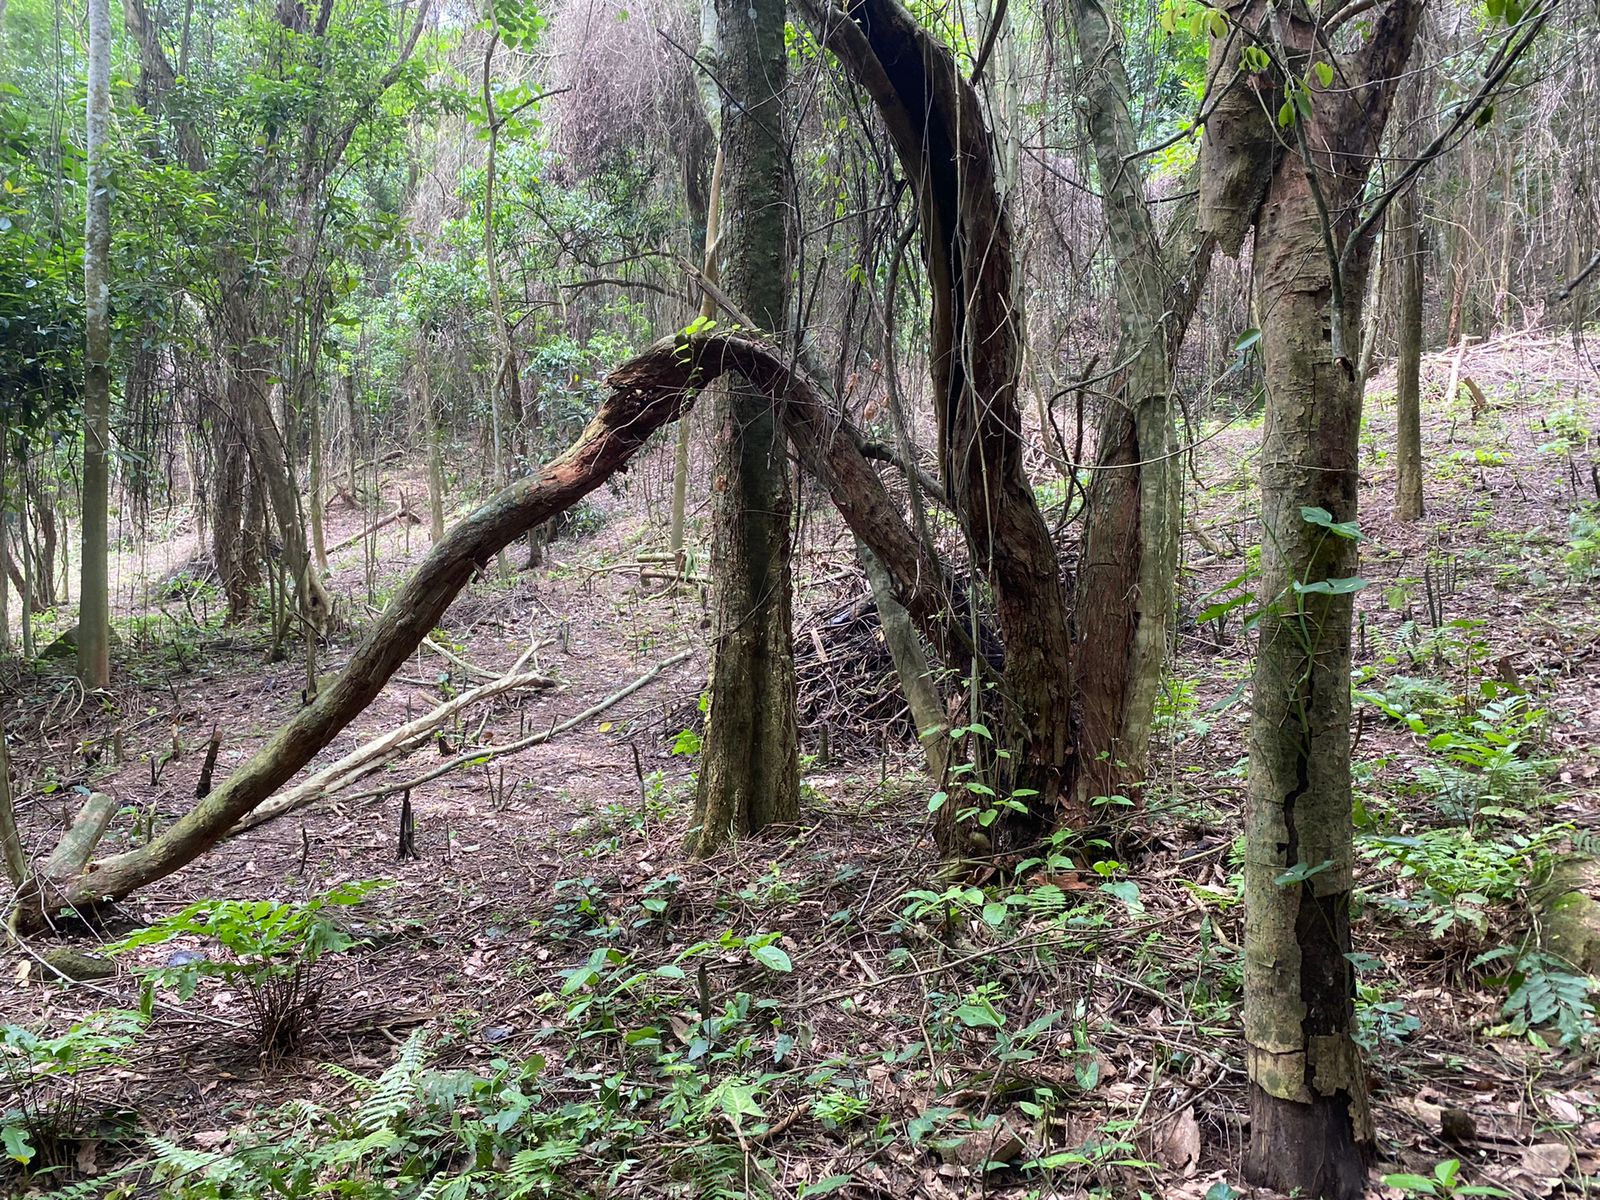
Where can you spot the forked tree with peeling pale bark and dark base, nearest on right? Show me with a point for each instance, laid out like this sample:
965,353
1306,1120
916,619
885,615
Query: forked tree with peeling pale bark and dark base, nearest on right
1311,1127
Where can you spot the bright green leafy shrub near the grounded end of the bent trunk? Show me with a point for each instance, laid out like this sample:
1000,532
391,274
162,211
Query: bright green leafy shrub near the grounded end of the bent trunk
273,953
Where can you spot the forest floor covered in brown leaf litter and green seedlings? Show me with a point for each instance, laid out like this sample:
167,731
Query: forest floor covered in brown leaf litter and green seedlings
1079,1031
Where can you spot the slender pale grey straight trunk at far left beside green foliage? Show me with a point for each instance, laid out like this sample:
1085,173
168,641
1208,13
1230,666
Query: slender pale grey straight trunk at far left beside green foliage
95,588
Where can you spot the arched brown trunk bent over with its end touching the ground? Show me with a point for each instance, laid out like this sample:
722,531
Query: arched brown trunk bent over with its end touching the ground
646,393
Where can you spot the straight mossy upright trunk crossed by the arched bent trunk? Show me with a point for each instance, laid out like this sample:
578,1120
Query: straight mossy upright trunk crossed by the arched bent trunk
750,774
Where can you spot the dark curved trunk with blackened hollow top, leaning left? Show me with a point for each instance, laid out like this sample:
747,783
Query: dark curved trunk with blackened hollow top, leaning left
943,142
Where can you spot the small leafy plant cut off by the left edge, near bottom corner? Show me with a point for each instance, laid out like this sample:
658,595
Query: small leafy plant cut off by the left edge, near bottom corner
50,1084
